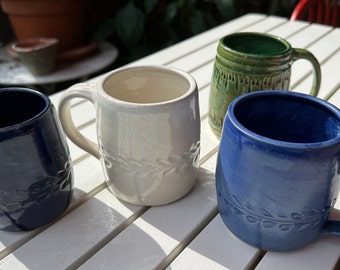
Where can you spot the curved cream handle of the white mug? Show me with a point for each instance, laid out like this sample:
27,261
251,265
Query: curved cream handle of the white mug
80,90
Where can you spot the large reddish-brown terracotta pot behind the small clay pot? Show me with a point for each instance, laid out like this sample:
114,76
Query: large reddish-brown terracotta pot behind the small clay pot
61,19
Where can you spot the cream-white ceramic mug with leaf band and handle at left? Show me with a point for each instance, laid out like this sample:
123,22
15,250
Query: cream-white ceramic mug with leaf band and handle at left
148,129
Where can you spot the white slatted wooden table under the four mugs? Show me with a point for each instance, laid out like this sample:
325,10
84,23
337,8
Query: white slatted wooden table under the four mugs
100,232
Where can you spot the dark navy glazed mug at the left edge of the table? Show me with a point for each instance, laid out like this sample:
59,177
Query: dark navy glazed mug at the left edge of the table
36,177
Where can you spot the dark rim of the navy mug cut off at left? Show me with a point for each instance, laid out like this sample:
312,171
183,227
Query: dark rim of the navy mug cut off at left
36,116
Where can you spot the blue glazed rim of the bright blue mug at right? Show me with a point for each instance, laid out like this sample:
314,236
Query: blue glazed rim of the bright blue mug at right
279,143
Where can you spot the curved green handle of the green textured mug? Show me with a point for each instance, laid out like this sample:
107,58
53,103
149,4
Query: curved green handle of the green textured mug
304,54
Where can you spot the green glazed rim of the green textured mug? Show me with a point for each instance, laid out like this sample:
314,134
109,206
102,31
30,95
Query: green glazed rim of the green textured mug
256,34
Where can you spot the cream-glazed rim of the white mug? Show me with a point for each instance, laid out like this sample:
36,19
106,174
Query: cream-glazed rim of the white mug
185,75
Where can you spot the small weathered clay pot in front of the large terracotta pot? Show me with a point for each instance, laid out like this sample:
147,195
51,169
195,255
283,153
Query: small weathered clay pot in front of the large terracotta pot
37,54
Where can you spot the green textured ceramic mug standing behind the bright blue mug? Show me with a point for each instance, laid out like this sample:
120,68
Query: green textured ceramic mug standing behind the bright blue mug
249,61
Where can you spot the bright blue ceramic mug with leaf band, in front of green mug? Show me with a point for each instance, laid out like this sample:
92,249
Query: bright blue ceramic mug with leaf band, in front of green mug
277,173
